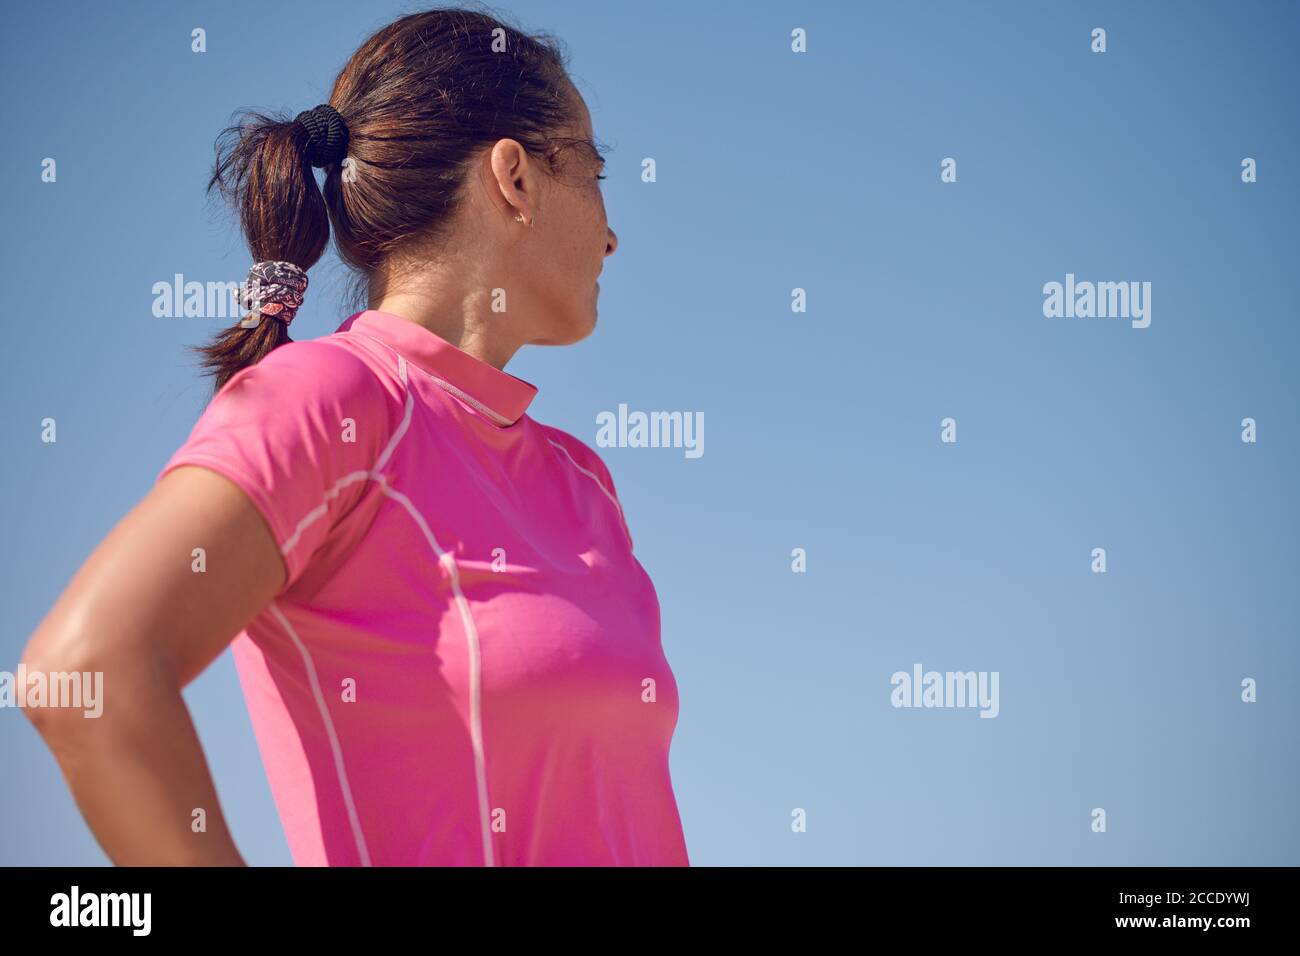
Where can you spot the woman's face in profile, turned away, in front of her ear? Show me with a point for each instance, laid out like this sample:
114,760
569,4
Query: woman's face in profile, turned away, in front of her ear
569,240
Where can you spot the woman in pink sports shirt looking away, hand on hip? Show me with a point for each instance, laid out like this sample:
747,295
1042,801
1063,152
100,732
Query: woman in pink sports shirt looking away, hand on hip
449,652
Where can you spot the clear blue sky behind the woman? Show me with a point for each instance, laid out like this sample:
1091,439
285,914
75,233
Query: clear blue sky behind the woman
925,301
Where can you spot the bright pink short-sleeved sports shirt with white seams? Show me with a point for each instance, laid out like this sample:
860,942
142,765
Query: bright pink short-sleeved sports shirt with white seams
465,665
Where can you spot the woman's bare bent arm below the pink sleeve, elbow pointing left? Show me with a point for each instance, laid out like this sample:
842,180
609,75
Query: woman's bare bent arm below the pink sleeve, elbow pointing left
138,613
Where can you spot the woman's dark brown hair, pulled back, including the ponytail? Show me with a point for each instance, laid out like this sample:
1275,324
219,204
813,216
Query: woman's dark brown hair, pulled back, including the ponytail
421,98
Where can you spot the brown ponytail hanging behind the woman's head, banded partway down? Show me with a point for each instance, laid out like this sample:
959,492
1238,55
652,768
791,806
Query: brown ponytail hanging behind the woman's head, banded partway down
265,170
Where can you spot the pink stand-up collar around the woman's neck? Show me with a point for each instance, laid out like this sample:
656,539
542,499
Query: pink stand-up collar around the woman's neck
502,397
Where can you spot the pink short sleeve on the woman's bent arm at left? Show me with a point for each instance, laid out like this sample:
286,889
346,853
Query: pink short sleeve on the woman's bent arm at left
300,432
